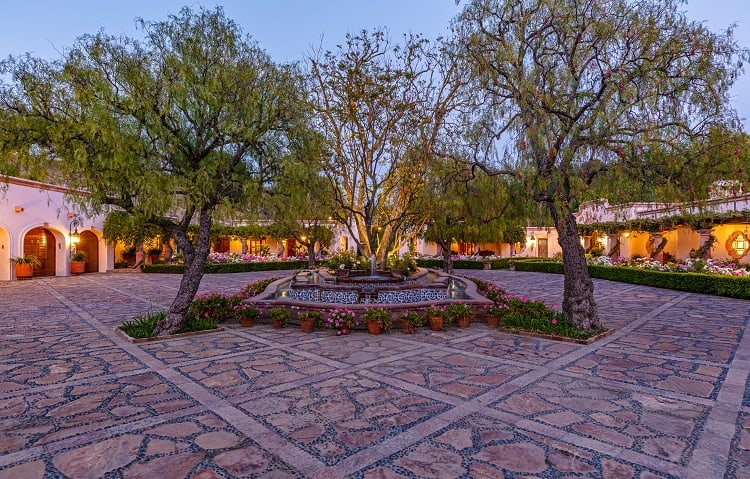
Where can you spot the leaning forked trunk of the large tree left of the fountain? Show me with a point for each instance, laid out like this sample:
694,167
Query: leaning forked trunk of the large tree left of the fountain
191,278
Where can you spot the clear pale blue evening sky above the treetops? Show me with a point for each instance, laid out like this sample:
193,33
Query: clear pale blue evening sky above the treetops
288,29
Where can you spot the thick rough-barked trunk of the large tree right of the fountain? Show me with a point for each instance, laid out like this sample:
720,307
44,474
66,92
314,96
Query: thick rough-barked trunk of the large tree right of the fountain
579,306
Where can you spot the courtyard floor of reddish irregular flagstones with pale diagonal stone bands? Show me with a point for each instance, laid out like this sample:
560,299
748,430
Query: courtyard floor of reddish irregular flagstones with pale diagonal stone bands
666,395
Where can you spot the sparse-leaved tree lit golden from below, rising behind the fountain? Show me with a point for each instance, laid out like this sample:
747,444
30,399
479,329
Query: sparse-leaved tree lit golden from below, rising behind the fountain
384,110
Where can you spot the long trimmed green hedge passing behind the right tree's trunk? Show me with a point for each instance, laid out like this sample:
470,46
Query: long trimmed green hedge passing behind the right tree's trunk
718,285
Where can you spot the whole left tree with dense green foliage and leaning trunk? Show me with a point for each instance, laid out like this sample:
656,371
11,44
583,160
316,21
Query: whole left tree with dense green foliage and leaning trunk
168,129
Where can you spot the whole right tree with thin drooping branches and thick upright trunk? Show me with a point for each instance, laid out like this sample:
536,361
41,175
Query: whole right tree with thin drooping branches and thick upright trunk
579,88
